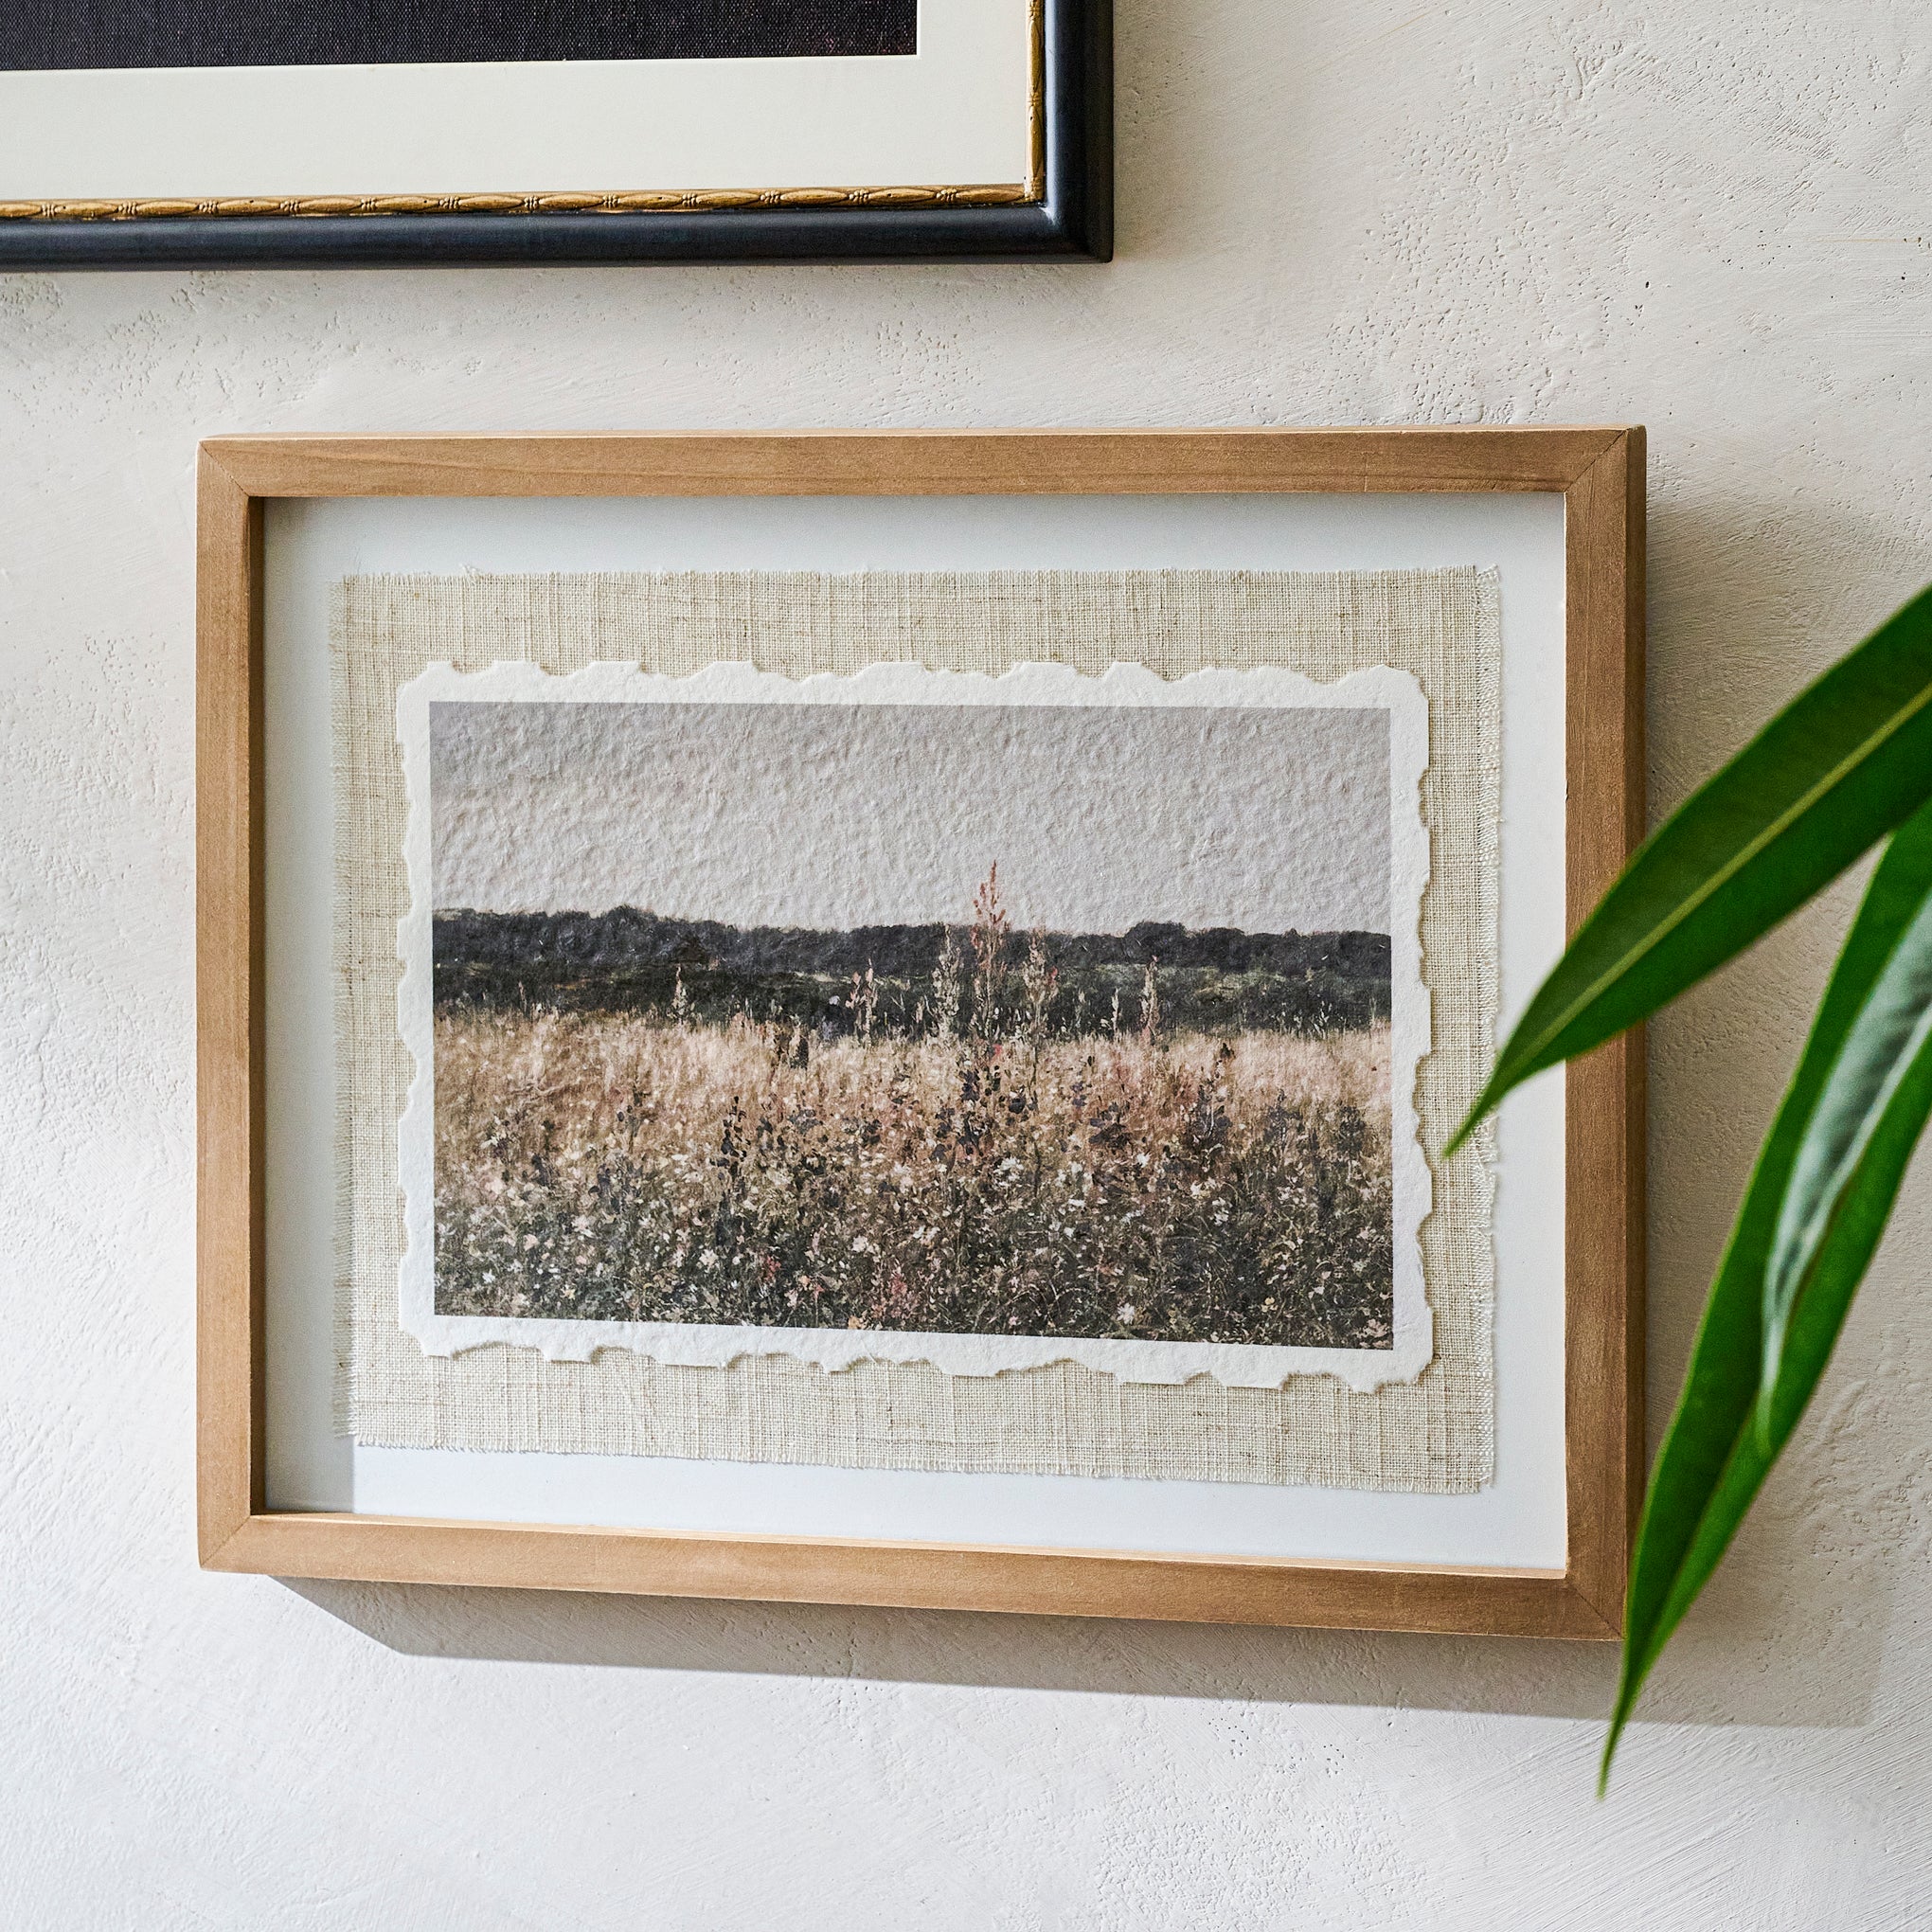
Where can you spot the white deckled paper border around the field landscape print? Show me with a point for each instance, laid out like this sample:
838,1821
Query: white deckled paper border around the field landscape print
716,1346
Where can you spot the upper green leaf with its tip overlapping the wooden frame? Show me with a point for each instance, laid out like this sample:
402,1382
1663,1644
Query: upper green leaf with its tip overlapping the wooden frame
1834,772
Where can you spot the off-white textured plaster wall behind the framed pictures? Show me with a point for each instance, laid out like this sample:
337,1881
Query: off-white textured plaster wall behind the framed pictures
1711,217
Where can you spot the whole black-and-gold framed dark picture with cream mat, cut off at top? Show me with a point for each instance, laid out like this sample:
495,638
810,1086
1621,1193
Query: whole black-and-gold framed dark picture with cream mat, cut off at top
212,132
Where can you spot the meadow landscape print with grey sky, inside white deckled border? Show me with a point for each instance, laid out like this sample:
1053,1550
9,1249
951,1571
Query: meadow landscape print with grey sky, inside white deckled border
689,1069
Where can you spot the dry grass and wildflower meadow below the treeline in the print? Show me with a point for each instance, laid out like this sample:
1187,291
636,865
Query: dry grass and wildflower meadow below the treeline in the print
986,1179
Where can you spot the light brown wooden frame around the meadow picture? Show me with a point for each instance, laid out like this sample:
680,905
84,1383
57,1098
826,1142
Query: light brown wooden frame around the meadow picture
1601,474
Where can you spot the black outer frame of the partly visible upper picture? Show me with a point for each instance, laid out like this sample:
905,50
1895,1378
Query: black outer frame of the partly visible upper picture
1073,219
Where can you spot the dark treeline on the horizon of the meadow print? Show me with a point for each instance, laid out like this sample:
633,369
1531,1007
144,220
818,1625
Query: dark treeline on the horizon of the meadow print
629,961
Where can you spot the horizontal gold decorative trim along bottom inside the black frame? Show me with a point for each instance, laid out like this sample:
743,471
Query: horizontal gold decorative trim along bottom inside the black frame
631,202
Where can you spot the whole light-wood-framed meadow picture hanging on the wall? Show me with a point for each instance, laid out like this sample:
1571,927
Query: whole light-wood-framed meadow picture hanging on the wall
874,1019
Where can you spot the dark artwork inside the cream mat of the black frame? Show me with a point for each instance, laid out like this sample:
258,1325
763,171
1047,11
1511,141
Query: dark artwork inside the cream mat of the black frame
45,36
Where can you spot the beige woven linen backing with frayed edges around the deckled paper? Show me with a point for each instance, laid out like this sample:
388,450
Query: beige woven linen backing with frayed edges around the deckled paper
1435,1435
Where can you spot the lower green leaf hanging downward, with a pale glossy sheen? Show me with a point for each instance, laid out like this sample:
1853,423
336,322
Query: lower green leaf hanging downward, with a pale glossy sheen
1742,1398
